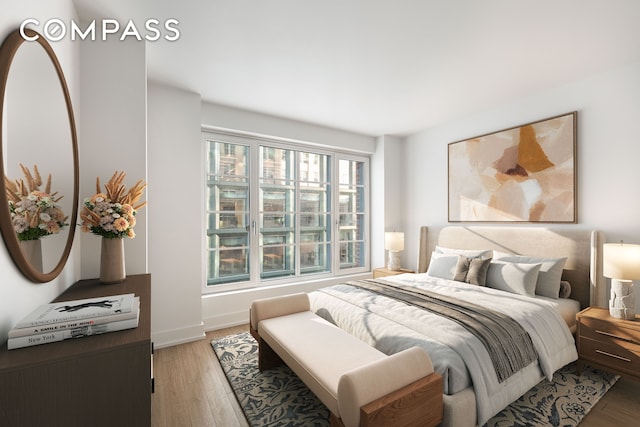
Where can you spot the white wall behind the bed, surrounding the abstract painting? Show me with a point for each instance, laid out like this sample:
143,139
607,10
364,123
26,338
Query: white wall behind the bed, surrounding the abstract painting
608,150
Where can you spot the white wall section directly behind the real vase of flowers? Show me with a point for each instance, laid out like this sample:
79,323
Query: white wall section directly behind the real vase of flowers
113,119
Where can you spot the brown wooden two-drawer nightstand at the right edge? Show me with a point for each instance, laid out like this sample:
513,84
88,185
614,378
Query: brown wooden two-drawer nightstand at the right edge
608,343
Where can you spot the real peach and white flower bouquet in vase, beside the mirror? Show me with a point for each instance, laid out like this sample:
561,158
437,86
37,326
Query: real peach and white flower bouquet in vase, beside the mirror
112,214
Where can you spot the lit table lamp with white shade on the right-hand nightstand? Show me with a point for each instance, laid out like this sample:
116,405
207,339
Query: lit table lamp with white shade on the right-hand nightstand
621,263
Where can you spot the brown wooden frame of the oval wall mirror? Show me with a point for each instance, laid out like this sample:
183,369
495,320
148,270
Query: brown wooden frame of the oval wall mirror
7,52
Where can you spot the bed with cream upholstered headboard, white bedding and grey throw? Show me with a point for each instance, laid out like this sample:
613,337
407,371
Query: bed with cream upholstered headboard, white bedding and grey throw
388,315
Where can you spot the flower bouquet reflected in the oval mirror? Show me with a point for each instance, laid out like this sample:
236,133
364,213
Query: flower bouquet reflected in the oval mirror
34,213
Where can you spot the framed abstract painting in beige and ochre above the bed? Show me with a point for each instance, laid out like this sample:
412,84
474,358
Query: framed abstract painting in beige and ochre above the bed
522,174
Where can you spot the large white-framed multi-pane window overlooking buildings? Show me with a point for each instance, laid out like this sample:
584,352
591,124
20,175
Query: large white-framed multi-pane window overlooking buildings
275,212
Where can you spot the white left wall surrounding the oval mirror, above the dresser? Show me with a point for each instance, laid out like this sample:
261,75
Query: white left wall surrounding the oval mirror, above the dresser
18,296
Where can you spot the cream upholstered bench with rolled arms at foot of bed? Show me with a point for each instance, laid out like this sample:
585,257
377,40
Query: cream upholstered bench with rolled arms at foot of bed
360,385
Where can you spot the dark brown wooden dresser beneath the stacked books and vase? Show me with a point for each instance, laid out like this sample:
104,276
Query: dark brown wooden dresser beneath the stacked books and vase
100,380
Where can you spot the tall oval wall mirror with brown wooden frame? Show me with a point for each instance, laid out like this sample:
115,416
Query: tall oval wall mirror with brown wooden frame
39,173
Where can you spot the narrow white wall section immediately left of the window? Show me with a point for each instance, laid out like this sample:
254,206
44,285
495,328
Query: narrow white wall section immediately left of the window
176,210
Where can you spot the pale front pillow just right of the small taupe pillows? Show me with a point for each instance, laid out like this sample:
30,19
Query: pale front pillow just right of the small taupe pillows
516,278
